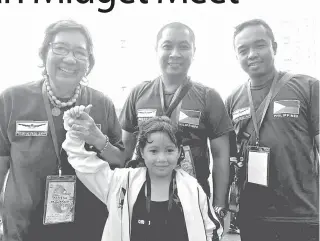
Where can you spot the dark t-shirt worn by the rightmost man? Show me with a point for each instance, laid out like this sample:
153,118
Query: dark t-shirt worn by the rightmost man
289,128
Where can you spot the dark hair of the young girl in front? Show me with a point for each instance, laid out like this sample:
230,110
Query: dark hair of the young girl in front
157,124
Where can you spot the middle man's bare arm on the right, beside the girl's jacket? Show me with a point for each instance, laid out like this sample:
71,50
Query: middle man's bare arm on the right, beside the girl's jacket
220,150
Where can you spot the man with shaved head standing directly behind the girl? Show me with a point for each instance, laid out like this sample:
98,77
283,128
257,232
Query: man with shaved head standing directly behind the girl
199,111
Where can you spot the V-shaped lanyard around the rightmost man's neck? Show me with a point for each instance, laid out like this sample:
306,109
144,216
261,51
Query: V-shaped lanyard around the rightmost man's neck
266,106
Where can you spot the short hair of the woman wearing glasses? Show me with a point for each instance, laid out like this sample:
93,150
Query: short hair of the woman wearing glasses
64,25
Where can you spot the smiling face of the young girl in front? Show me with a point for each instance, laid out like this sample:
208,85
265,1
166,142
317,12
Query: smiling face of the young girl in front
160,155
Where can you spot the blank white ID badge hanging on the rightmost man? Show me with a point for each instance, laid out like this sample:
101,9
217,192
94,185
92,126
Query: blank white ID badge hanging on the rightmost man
258,165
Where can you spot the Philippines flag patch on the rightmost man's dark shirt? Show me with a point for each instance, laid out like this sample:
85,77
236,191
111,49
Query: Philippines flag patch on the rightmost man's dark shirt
286,108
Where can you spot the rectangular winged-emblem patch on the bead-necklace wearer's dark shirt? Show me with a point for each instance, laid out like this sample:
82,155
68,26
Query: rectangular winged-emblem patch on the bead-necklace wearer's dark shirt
31,128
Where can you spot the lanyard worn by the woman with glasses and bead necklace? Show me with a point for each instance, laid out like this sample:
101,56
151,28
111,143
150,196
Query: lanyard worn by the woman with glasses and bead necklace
52,127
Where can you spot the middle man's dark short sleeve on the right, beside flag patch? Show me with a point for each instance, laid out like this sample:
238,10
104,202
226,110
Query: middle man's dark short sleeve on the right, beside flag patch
217,119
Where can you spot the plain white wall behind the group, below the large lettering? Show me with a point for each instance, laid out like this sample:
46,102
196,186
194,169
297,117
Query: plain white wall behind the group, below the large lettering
296,25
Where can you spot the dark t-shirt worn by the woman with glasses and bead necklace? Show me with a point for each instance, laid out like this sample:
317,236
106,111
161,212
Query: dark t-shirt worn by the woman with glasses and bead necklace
33,158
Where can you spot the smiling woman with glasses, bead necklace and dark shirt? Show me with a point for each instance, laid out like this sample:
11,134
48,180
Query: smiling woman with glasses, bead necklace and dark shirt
30,144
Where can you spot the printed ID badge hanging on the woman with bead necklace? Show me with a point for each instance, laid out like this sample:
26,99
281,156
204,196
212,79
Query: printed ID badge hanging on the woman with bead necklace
60,199
